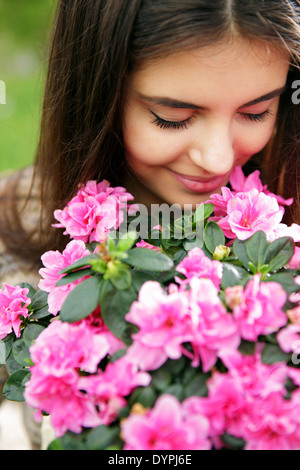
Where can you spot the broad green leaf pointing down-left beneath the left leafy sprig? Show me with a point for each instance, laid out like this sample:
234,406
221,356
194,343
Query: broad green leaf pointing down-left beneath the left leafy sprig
82,300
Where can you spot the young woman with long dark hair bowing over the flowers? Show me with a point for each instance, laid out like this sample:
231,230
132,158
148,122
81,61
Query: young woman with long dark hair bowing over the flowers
166,98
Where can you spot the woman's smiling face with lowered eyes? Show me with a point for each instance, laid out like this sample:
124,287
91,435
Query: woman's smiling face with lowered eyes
192,117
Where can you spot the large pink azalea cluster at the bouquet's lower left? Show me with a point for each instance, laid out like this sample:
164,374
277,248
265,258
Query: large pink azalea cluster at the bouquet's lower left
76,400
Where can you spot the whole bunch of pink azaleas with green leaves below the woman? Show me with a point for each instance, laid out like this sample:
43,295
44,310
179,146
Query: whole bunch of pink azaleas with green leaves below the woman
164,344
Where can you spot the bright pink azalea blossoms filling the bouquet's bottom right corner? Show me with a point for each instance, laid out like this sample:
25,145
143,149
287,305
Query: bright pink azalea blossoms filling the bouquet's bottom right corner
248,402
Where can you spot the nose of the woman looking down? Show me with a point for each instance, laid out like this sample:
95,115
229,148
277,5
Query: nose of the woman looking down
212,149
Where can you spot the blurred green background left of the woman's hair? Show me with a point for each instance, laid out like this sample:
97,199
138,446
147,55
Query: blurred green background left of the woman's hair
24,37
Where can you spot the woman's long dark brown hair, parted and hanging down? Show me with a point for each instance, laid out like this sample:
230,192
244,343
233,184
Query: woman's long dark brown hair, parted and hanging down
95,44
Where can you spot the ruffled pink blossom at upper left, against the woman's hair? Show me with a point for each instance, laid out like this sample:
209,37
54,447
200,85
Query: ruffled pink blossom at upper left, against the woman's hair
94,211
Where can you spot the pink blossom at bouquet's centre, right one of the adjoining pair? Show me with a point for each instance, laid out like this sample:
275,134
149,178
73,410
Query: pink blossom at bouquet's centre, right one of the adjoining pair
213,328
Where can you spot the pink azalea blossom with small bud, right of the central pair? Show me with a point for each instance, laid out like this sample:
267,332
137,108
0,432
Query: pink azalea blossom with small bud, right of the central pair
257,309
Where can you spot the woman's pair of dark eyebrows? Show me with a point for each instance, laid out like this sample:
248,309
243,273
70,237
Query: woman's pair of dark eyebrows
173,103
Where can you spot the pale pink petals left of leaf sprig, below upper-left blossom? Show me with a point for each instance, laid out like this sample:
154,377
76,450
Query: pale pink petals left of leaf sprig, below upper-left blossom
54,261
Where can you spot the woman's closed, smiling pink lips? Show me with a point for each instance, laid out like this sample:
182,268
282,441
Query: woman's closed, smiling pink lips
200,185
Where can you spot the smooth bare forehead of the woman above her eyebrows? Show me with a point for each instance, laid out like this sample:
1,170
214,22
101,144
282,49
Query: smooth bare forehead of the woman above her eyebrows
231,71
